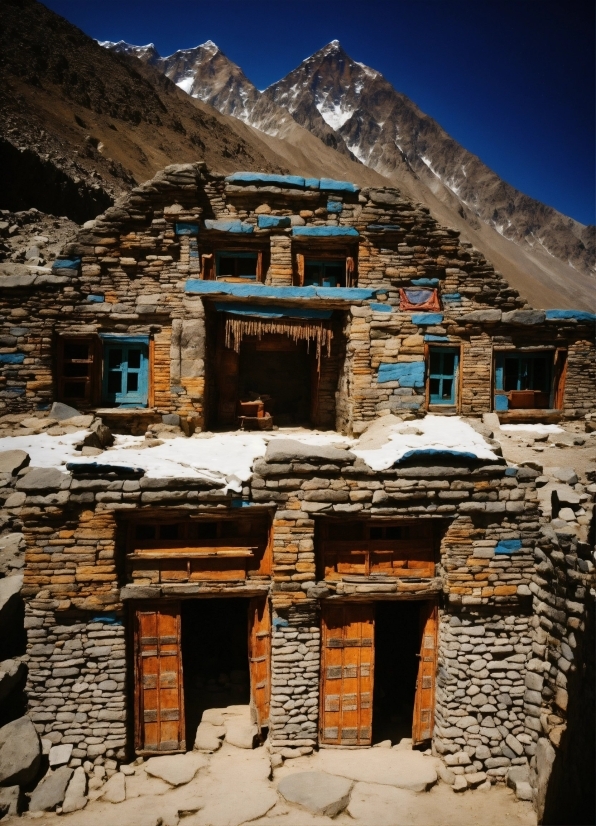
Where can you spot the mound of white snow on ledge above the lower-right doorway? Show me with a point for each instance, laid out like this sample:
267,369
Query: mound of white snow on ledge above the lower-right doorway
431,433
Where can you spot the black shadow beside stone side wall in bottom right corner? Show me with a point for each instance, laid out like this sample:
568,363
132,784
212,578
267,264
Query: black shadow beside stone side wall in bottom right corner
570,797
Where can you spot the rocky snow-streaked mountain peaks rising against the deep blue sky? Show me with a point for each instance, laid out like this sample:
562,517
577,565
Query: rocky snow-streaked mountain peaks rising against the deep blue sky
356,111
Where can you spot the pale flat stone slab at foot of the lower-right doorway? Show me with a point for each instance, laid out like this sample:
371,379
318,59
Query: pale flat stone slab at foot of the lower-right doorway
390,767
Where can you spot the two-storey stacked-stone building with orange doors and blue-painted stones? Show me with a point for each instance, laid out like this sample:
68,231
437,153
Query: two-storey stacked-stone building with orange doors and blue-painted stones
343,595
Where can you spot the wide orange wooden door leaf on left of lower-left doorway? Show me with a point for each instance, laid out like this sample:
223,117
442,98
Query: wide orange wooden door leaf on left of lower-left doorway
159,693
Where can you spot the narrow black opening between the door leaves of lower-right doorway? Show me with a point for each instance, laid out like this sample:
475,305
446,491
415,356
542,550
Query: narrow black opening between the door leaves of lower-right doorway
397,645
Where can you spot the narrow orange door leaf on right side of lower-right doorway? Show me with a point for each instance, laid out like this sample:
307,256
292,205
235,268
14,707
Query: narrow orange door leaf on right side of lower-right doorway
424,701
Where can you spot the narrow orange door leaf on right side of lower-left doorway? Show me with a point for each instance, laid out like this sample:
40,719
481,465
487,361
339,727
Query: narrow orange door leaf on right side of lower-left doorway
259,654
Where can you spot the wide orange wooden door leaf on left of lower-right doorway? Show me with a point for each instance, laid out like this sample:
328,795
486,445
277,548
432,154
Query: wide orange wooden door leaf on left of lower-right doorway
347,667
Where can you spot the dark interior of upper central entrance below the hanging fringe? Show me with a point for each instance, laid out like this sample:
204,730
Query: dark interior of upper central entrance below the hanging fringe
278,371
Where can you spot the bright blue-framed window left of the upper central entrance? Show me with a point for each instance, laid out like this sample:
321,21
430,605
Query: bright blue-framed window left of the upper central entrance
125,371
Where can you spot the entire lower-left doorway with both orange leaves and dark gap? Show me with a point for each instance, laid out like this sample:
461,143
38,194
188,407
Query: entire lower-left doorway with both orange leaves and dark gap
193,655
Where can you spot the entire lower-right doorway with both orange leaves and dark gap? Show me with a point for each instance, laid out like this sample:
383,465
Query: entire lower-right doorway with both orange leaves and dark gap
394,643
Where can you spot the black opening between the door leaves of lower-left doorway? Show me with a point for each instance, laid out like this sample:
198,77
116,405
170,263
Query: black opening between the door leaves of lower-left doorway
214,657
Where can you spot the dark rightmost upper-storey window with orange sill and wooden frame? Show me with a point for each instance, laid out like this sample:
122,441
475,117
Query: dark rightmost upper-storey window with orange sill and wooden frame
523,380
